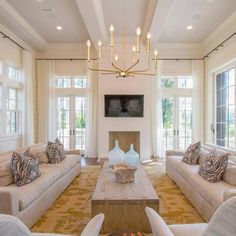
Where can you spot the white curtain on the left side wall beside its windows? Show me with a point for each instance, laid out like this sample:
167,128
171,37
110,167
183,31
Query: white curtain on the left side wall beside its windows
27,114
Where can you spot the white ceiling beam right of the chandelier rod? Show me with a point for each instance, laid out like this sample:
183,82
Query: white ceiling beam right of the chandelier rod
156,17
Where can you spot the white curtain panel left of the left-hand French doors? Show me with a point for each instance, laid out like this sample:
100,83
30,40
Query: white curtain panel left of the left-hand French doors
46,100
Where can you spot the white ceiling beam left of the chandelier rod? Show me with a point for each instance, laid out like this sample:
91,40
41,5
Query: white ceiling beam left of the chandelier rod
92,14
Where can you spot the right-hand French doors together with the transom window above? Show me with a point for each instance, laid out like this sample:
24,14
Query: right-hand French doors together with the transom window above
177,111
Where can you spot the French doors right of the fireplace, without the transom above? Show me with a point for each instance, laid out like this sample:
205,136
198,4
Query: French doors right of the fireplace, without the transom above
177,121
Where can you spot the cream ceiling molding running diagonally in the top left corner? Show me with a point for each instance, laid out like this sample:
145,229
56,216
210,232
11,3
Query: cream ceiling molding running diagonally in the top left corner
17,23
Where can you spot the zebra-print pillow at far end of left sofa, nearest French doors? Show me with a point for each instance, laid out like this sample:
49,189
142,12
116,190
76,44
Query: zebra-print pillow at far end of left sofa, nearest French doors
55,151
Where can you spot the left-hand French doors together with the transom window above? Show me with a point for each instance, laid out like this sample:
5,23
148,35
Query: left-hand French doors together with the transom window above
71,110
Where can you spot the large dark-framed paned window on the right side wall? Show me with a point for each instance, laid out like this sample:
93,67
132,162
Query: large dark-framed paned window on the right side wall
225,108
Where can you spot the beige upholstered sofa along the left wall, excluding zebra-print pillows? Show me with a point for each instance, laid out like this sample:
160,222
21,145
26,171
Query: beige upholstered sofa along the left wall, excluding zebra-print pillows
30,201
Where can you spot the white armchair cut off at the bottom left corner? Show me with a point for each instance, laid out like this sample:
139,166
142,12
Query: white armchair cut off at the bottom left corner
12,226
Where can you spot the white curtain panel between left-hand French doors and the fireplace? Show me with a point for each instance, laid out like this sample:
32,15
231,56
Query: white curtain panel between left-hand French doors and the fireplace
91,146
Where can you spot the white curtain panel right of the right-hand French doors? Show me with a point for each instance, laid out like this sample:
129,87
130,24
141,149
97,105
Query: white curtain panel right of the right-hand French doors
198,100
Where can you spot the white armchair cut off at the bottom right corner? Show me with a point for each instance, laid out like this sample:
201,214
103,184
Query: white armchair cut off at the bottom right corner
222,223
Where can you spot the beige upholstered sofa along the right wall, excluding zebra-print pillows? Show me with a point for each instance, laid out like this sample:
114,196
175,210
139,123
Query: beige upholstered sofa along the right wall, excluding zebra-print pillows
205,196
